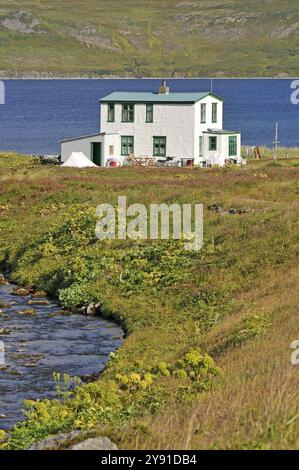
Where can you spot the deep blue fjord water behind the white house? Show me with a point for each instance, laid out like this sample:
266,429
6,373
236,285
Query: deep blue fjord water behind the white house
39,113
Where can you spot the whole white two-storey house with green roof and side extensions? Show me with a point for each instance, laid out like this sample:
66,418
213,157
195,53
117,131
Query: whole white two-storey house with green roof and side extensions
186,127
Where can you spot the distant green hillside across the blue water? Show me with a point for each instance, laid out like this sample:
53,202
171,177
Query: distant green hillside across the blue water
149,38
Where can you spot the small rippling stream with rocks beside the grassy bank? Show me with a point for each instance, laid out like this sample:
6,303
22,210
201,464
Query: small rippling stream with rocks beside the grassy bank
40,339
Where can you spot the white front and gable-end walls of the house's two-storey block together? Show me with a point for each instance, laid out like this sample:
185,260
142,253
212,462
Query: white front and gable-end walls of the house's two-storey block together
179,123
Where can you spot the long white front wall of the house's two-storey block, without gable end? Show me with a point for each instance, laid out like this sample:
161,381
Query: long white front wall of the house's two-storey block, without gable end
173,121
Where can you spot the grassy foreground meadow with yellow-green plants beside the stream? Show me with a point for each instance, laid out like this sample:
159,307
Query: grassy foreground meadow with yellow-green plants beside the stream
206,362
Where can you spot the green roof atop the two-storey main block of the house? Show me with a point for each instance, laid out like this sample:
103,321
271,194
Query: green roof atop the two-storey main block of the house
148,97
